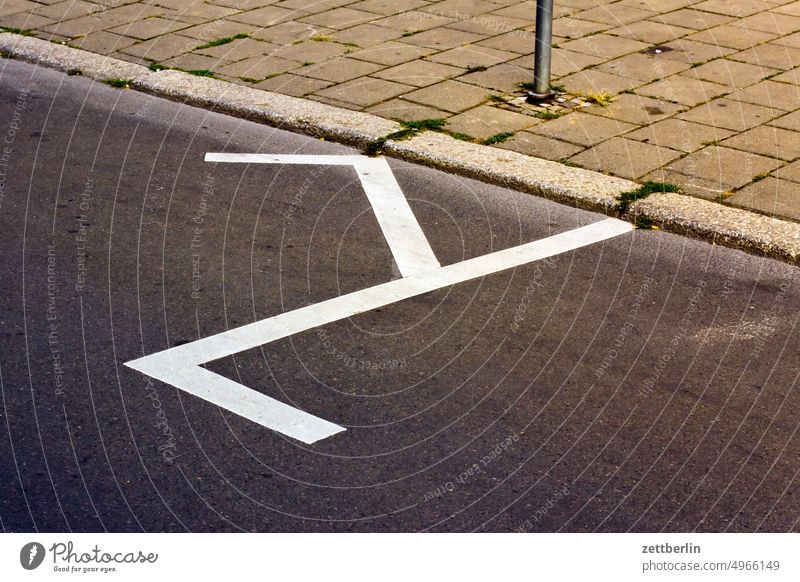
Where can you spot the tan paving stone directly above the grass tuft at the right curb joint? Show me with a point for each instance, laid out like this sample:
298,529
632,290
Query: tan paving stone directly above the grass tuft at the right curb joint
626,158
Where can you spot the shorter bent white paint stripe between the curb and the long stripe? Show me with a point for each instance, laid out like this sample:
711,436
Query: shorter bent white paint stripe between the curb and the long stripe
403,234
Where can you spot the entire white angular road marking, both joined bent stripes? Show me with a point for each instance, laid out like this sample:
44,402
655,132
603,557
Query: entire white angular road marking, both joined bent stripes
181,366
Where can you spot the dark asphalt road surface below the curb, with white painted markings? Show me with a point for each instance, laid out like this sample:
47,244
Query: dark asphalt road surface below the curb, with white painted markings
640,382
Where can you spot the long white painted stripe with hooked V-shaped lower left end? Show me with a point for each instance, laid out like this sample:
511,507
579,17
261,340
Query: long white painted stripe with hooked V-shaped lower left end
179,365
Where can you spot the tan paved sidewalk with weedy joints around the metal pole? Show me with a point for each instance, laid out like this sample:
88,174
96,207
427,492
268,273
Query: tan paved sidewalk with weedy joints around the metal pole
702,94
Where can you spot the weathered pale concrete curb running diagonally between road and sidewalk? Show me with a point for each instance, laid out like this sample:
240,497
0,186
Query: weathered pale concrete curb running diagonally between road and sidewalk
583,188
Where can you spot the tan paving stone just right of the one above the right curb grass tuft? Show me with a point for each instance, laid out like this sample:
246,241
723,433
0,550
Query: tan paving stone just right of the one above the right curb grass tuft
730,168
